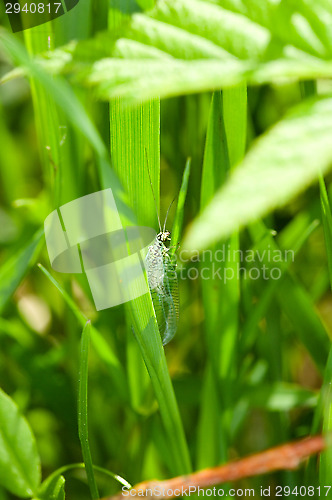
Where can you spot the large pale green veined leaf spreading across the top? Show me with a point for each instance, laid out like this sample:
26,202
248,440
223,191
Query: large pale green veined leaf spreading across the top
198,45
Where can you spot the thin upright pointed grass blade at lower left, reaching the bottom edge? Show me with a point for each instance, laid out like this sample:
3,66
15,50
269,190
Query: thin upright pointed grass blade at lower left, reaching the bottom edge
83,411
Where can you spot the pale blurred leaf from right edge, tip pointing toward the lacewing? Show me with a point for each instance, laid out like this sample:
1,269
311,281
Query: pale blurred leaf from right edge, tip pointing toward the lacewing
282,163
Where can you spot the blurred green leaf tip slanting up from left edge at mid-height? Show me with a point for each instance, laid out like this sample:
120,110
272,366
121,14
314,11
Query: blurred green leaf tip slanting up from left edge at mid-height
13,271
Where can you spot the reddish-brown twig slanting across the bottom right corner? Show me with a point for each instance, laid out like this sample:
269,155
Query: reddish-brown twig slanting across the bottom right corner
285,457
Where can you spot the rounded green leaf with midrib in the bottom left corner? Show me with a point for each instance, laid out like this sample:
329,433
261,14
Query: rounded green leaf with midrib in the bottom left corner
19,459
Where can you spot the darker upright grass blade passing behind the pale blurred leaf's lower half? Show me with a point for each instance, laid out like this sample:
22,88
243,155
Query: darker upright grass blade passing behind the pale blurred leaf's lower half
212,439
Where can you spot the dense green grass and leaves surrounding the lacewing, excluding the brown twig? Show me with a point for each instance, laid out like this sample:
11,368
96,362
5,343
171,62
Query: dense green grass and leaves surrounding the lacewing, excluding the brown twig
190,92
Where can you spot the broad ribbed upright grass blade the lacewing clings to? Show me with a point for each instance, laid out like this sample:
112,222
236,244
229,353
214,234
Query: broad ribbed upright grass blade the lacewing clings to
134,138
